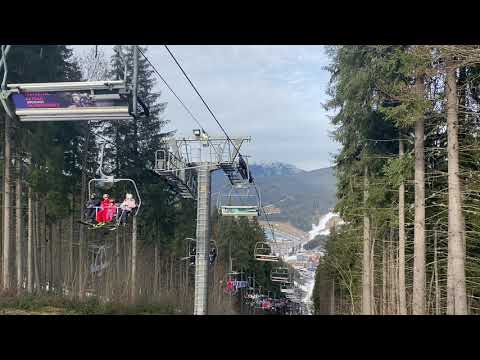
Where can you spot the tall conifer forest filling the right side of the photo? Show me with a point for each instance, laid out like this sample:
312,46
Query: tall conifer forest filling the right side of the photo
407,118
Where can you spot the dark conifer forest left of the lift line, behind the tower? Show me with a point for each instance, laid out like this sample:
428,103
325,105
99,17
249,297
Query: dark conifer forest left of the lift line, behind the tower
47,167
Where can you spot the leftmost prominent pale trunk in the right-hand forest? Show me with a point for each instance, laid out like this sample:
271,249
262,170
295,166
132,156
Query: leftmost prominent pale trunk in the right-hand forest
366,281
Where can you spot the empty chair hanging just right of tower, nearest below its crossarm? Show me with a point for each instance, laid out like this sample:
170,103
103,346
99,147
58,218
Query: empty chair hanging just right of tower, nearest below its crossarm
240,201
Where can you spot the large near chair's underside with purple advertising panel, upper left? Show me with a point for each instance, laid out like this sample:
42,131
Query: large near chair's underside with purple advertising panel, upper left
71,101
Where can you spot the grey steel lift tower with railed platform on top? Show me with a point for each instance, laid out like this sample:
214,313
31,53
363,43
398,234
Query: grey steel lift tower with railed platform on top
187,165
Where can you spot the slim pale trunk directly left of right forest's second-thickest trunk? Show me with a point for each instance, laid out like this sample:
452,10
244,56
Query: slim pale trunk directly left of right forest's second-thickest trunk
401,241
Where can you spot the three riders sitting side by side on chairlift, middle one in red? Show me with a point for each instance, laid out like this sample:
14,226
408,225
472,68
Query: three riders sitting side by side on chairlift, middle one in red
99,212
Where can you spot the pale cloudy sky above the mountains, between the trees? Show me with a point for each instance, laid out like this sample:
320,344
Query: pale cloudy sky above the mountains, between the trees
272,93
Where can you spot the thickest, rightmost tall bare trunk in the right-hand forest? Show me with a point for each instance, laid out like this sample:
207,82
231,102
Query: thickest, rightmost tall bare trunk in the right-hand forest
456,250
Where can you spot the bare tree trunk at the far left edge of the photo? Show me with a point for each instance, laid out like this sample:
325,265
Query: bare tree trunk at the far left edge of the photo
6,206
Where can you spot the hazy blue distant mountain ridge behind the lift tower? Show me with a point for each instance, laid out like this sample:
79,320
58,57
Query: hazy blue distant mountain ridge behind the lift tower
301,195
